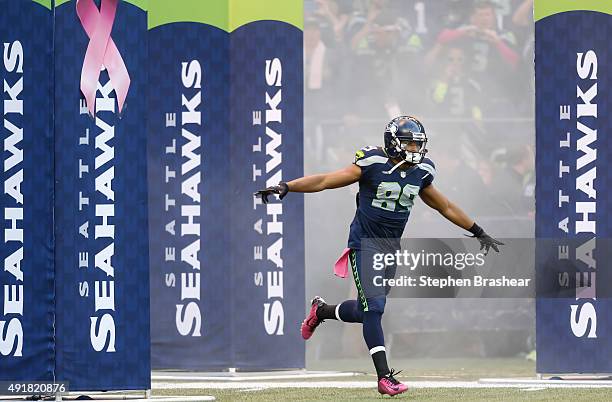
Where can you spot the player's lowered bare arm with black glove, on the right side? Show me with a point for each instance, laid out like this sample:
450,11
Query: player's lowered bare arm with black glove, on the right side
436,200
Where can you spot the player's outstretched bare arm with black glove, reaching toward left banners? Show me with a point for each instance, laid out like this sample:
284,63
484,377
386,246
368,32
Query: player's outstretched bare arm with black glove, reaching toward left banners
314,183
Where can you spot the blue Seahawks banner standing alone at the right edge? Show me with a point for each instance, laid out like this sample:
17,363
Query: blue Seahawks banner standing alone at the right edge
574,334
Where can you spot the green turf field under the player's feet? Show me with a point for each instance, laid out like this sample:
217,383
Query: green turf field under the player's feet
417,370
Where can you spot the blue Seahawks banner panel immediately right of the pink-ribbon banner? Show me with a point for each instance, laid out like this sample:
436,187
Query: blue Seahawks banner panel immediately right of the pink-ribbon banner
189,118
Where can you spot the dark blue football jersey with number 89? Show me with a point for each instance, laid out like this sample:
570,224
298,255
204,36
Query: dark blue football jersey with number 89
385,198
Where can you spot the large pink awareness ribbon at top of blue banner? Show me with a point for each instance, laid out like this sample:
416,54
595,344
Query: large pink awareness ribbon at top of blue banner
101,50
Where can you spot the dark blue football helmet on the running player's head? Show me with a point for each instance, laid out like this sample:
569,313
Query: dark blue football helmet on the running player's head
401,135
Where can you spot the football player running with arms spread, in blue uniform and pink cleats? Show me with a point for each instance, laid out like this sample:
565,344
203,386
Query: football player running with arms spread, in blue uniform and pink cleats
389,177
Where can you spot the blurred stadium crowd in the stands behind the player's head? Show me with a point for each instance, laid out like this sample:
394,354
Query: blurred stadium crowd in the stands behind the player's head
464,67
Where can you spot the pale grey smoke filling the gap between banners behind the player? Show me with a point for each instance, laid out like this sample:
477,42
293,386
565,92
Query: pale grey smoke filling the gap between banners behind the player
479,120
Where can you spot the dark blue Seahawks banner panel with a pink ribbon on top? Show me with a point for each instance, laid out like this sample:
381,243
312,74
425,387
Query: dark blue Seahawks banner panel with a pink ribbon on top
101,254
